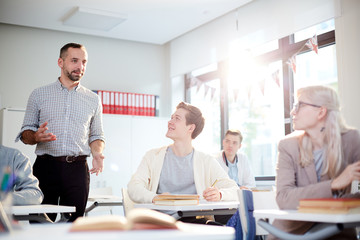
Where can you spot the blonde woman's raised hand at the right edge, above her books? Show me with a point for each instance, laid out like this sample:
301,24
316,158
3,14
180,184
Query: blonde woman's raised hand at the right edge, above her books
351,173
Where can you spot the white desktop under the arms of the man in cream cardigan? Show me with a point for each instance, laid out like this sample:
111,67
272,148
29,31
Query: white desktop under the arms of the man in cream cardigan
203,205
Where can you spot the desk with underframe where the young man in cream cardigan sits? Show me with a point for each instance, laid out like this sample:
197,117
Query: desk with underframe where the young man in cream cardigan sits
203,208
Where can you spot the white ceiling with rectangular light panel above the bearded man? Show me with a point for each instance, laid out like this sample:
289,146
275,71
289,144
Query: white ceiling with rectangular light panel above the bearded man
148,21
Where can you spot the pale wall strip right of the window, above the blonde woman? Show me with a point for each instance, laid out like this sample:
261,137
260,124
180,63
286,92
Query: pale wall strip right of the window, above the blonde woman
348,59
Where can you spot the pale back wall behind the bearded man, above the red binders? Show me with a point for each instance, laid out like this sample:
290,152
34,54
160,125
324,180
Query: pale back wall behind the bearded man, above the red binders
29,60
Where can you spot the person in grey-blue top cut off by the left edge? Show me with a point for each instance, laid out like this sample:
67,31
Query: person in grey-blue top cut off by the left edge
25,188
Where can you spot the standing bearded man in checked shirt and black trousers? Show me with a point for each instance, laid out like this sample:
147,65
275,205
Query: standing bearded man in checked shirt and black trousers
64,120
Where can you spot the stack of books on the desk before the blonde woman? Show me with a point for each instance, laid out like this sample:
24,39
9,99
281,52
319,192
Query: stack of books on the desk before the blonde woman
330,205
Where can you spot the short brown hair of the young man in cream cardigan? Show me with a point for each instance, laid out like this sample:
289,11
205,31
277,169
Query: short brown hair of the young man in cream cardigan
193,116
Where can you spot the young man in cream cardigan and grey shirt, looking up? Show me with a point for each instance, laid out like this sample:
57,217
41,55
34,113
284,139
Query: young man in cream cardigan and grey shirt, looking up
179,168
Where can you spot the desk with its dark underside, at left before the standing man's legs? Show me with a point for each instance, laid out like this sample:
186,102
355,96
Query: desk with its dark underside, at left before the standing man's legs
38,212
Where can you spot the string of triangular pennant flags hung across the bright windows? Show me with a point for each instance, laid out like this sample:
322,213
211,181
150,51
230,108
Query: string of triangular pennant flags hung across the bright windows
275,76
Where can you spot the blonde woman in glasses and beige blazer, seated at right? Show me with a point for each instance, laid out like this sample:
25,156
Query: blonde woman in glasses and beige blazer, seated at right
319,160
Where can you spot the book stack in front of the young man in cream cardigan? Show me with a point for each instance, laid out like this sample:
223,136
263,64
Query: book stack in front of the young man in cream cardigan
177,199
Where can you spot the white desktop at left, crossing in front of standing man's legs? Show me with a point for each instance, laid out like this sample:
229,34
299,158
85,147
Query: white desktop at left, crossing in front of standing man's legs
41,208
